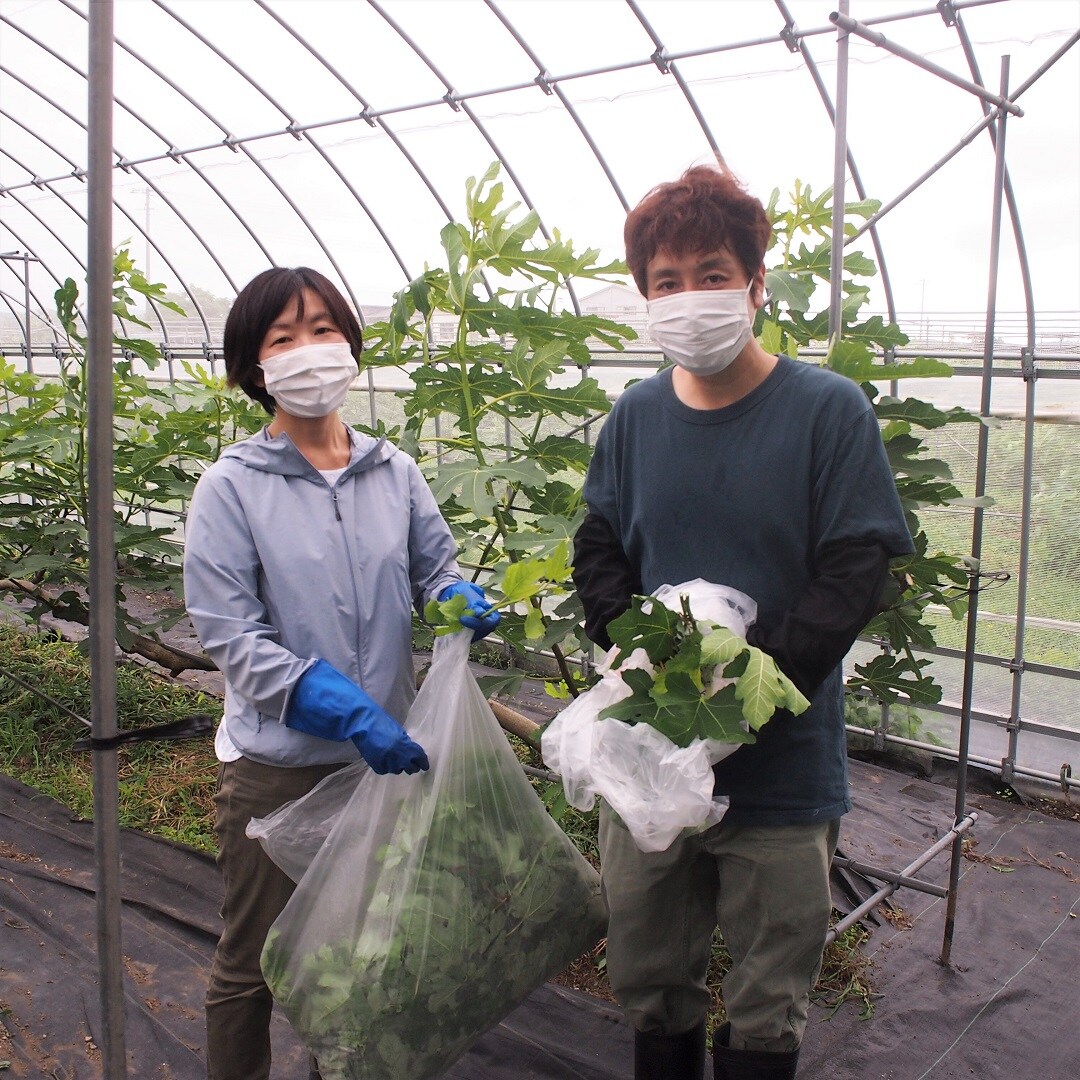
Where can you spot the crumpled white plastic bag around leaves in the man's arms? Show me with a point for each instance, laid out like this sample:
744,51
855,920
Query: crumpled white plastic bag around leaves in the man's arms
657,789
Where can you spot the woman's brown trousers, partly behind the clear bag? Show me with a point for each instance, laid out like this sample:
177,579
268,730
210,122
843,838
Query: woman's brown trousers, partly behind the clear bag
238,1000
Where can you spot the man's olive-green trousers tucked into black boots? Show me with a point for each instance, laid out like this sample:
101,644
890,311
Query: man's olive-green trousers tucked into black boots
765,887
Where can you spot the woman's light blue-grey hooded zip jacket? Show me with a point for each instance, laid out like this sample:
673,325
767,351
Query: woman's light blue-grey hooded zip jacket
280,571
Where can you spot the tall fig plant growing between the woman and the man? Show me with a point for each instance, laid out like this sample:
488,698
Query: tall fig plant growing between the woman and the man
492,417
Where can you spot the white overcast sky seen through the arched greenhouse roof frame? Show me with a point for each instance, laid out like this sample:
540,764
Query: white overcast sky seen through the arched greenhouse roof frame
759,101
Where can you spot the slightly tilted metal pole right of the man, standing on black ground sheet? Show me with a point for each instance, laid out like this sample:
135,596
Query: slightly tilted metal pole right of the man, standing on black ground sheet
977,532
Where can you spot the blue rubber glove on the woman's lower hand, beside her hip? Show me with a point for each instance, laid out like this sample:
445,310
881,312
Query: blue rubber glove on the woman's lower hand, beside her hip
328,705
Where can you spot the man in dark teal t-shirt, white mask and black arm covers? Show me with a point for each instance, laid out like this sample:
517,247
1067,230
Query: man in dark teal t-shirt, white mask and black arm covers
769,476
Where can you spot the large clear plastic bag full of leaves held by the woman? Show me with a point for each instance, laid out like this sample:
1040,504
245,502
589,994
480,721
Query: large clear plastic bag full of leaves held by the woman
437,903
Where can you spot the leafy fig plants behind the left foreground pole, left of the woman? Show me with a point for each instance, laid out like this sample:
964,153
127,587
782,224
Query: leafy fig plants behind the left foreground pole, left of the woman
164,433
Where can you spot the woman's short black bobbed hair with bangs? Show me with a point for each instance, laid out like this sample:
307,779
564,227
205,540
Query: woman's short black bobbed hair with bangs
254,312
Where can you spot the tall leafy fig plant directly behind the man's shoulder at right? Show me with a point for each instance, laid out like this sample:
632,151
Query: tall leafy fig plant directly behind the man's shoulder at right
863,349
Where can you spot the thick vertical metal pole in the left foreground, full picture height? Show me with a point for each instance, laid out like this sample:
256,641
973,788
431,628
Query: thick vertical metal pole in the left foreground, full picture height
100,398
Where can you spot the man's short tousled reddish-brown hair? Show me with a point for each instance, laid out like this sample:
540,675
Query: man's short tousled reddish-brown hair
705,210
